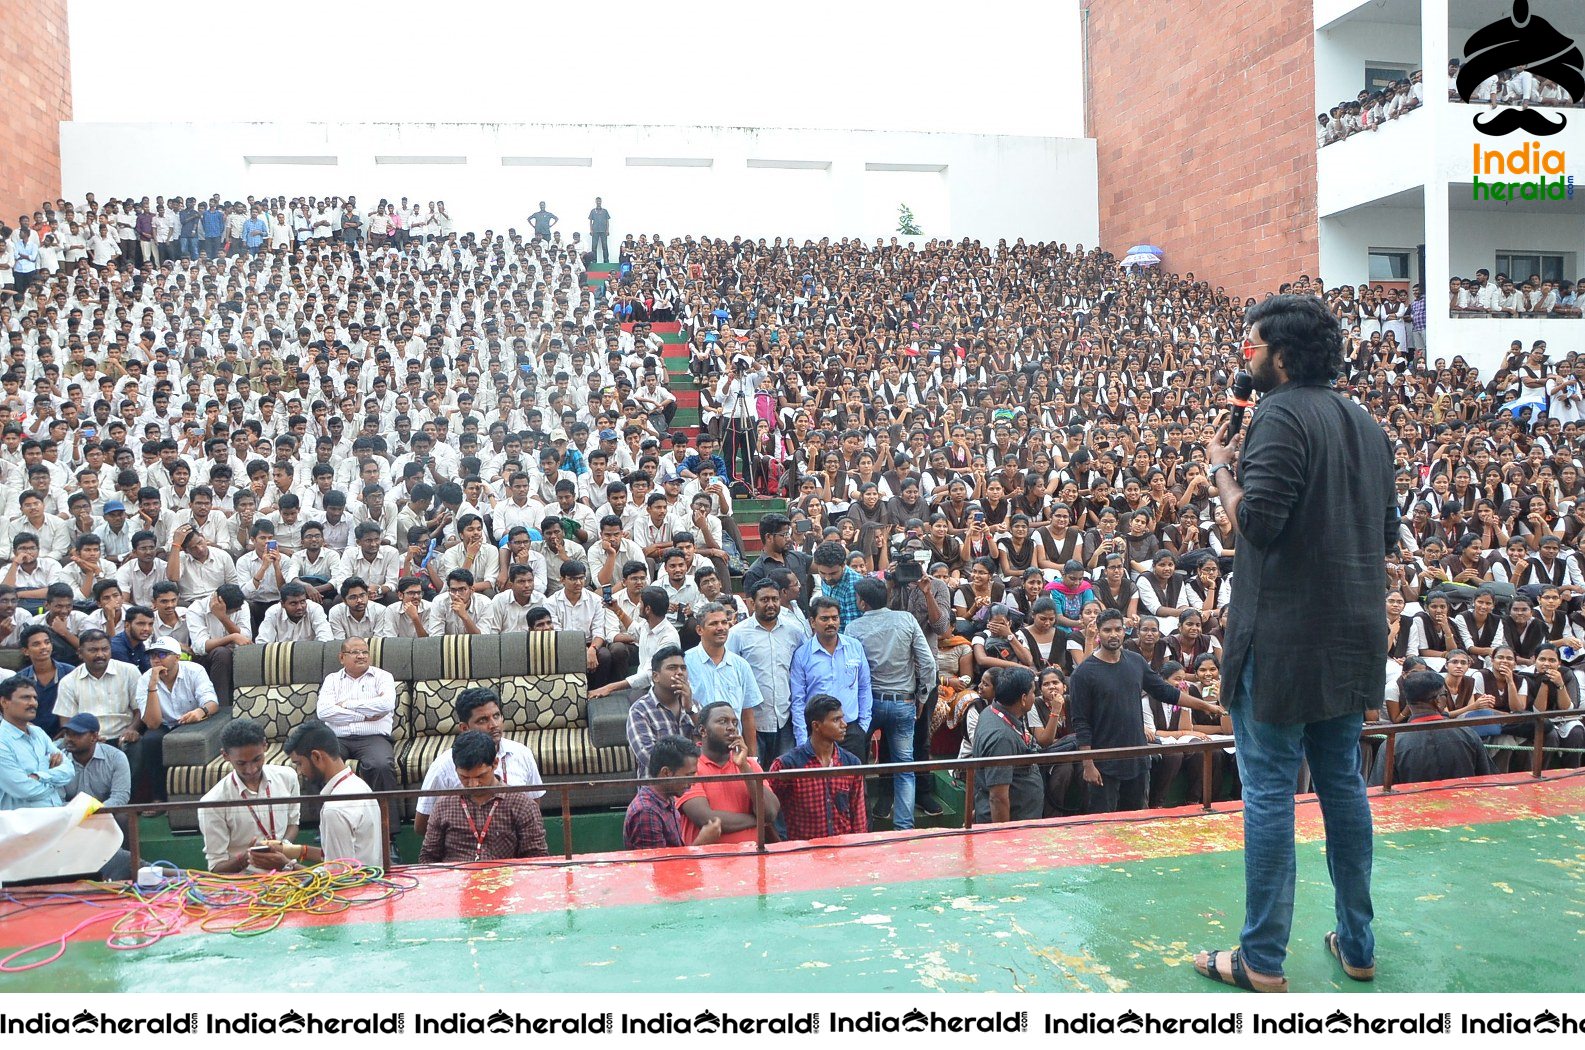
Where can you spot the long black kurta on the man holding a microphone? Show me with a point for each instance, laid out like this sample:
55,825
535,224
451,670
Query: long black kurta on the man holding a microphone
1318,519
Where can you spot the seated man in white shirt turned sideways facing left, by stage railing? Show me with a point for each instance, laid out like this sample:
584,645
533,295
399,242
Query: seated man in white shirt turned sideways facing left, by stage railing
346,830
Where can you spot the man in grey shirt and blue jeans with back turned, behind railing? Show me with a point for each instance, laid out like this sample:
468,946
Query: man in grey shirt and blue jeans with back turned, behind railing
903,673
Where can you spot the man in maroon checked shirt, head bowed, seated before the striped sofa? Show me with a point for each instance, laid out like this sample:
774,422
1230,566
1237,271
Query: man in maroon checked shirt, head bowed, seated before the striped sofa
484,827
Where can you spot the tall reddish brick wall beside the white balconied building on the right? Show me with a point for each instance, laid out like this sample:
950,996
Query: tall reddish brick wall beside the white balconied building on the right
1204,117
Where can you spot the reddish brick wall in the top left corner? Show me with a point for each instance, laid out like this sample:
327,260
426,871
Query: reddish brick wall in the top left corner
36,96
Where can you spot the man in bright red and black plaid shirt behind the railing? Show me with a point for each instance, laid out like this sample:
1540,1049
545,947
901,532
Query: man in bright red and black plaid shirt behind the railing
819,808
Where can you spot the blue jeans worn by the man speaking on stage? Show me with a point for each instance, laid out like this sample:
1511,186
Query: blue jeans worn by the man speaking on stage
1269,764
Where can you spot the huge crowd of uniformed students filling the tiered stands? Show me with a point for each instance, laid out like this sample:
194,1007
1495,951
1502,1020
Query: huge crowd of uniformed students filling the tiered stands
985,448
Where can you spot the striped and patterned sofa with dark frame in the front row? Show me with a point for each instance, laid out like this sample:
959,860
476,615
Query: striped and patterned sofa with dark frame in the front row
540,675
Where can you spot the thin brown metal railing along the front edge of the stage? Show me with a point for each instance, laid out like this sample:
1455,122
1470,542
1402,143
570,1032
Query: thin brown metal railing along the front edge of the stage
567,789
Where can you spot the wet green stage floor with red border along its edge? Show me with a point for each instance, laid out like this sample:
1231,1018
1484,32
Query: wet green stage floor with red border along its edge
1472,879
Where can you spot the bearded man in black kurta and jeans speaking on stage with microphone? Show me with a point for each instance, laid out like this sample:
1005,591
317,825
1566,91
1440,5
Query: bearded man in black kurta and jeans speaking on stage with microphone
1313,504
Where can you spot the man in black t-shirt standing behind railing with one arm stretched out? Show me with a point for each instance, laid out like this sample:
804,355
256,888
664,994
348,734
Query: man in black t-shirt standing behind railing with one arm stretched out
1106,699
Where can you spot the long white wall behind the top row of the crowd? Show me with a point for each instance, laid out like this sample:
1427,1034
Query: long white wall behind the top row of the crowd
985,186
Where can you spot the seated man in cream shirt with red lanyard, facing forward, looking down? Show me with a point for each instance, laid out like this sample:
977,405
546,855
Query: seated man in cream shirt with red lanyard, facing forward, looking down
231,833
